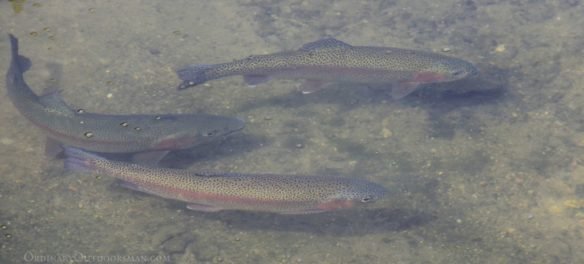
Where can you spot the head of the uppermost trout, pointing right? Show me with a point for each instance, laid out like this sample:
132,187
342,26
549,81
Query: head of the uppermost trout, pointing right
446,70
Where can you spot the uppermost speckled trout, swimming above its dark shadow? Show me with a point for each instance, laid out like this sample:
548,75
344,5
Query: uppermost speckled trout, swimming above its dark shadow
329,61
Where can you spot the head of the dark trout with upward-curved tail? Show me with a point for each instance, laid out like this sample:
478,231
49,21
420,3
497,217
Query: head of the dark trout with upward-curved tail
197,130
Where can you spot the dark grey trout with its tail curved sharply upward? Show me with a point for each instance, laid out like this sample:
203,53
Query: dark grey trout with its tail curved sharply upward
147,134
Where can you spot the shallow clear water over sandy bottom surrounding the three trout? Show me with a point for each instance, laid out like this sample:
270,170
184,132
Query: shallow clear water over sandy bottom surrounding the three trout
489,170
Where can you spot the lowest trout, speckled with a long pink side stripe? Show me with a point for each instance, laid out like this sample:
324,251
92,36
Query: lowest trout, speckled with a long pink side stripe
211,192
